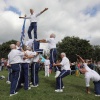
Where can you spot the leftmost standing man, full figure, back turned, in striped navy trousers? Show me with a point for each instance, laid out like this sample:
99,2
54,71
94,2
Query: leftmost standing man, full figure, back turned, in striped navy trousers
15,58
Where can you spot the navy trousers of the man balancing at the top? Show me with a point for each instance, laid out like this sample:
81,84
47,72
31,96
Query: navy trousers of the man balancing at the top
32,26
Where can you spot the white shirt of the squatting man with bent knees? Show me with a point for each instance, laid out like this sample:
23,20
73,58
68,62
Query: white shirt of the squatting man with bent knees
65,64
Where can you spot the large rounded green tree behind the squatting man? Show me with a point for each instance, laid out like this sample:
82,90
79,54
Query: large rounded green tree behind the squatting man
75,45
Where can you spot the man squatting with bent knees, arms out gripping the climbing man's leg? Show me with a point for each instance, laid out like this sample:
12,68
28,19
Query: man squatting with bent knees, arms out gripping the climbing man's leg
65,70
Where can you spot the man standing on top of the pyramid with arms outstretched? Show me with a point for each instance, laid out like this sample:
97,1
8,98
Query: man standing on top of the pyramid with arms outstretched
33,22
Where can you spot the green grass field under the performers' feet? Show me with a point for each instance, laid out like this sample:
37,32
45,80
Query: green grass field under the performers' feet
74,89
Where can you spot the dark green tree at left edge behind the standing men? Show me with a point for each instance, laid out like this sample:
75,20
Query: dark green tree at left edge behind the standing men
5,49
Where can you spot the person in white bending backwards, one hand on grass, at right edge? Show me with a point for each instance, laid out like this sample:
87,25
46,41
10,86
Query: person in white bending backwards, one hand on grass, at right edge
90,75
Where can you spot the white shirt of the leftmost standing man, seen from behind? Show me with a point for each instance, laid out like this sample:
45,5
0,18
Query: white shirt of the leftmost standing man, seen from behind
15,56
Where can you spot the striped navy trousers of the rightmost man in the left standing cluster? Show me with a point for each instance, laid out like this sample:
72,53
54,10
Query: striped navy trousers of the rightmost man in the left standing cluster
35,70
